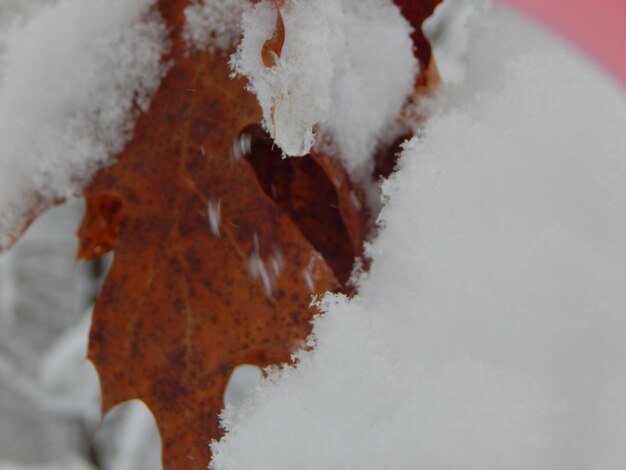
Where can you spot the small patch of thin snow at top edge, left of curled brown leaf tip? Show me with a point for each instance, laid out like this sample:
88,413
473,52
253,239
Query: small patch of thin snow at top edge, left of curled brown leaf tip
211,24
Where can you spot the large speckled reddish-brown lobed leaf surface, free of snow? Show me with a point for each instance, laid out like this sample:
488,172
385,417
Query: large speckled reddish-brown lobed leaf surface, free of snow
186,302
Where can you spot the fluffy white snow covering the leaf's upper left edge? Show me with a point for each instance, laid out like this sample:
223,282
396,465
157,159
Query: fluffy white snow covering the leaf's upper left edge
74,75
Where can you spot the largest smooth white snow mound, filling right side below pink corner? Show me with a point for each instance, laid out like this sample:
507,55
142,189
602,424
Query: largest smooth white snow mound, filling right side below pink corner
490,331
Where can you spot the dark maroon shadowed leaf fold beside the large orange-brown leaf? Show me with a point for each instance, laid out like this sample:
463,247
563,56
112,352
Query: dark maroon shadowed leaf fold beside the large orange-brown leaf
317,195
